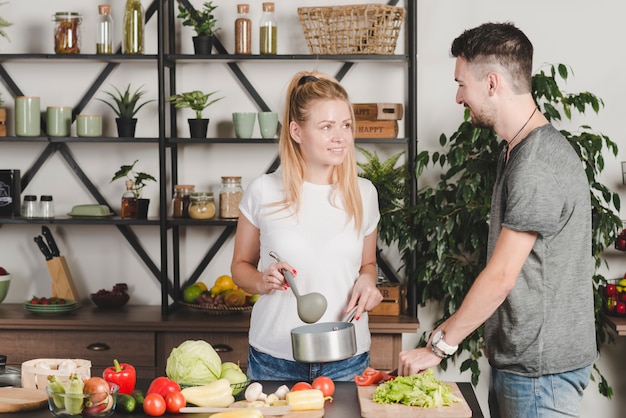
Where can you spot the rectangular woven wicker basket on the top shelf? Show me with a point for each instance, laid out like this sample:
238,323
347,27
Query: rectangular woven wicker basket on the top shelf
352,29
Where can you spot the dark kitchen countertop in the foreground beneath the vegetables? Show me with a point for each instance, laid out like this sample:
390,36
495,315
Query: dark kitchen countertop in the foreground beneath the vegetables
344,405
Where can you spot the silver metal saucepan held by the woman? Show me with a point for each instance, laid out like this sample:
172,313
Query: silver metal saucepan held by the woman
323,342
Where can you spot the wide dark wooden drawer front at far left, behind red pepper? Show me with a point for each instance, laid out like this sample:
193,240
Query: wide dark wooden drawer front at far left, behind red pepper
136,348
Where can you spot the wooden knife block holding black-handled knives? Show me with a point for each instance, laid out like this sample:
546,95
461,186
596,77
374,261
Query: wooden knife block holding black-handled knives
62,281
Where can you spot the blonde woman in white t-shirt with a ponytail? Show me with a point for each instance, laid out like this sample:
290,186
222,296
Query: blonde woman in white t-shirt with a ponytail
321,218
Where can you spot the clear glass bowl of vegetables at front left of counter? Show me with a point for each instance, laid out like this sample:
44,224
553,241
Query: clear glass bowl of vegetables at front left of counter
64,405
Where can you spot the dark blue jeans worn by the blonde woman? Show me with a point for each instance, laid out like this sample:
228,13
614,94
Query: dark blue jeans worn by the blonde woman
262,366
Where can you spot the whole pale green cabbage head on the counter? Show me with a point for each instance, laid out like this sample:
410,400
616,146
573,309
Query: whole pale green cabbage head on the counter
194,363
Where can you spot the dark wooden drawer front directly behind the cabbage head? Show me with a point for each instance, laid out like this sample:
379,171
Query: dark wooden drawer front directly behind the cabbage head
231,346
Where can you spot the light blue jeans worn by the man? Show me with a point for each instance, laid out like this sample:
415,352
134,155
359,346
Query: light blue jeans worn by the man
555,395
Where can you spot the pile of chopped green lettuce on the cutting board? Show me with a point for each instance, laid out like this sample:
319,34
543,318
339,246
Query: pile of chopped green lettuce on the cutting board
421,390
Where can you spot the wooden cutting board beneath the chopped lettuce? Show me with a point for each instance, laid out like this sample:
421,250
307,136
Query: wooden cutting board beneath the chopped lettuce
370,409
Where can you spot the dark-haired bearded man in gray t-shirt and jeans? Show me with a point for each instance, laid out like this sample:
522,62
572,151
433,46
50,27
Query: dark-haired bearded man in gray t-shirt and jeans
540,264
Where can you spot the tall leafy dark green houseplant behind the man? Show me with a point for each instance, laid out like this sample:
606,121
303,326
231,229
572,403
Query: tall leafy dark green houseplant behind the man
442,236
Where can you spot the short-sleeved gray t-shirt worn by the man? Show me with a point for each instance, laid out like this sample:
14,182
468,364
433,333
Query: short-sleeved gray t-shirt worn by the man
546,324
